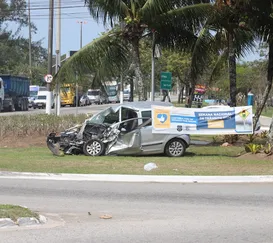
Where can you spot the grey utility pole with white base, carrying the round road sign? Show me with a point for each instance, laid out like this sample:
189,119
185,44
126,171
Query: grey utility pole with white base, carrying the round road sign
50,47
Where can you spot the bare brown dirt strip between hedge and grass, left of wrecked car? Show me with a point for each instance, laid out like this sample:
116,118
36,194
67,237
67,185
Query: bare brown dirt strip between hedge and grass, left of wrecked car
23,142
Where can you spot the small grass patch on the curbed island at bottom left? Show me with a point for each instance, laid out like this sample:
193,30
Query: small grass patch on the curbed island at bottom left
14,212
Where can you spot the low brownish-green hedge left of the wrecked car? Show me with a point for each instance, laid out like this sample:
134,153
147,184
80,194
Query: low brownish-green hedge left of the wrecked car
41,124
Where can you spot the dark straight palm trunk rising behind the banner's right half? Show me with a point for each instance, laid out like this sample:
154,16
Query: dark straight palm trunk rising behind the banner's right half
232,70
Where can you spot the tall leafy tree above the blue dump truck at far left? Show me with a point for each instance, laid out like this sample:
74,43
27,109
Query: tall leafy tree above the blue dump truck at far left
14,49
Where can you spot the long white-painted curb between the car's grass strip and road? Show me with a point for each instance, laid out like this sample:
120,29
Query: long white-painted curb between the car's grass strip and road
137,178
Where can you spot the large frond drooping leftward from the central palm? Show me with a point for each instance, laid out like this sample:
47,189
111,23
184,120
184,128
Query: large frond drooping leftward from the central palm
104,57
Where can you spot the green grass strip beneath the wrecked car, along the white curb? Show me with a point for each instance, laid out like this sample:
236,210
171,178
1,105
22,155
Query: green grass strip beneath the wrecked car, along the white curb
199,160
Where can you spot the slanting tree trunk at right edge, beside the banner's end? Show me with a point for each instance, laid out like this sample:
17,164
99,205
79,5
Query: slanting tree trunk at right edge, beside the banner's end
261,105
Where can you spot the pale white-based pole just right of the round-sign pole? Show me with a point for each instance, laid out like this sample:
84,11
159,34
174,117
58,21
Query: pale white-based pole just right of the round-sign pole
58,59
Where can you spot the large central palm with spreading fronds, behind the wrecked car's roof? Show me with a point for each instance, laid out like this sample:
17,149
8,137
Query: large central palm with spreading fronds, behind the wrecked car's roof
176,23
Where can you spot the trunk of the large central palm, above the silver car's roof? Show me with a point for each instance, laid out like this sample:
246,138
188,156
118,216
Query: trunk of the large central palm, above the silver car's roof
137,69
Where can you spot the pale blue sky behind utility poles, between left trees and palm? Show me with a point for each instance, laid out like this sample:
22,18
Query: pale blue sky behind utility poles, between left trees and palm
72,12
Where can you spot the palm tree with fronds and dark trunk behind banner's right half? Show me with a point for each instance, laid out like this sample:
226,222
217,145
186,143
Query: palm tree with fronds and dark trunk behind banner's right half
230,40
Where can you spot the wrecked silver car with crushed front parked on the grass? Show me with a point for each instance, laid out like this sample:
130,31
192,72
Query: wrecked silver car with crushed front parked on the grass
121,130
